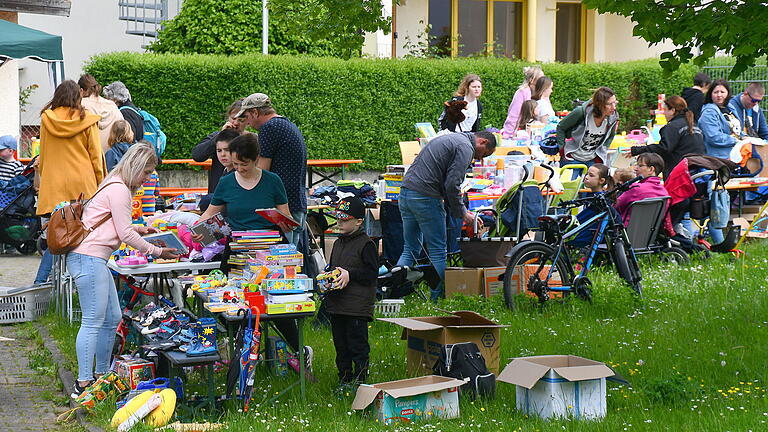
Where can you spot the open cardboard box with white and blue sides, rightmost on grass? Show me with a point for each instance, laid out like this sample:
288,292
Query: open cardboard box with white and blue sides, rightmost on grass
559,386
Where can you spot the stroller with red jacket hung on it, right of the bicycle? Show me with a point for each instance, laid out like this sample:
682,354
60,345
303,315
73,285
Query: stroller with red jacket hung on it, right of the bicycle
690,189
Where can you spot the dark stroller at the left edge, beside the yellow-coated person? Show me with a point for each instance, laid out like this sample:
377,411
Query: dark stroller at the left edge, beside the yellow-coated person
19,225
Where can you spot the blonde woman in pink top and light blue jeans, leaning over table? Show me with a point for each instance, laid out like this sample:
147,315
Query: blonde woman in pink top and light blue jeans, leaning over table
88,262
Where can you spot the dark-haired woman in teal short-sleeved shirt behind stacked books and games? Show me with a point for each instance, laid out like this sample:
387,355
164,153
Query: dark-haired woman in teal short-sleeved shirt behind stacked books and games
249,188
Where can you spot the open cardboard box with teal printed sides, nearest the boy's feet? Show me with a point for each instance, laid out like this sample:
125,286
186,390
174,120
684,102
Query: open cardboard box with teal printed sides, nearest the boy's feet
411,399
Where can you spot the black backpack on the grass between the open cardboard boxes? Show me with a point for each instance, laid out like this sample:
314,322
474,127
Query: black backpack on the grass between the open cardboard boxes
463,360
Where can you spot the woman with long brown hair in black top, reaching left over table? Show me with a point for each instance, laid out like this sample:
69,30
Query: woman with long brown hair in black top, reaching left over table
679,136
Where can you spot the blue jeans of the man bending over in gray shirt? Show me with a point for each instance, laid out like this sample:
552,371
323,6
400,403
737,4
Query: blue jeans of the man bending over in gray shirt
423,221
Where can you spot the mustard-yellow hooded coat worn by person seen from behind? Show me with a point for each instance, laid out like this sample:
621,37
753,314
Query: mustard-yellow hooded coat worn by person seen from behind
71,159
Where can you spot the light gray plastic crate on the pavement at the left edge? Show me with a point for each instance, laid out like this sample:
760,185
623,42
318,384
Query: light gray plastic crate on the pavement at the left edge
24,303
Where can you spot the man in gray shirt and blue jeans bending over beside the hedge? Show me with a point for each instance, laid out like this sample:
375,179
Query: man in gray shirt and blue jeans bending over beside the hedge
432,184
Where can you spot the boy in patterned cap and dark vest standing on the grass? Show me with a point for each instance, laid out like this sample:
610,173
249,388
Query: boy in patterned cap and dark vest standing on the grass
350,305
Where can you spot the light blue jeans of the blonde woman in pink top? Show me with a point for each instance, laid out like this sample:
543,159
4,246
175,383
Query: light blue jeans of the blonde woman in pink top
101,314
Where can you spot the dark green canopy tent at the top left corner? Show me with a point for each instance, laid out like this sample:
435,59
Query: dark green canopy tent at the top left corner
18,42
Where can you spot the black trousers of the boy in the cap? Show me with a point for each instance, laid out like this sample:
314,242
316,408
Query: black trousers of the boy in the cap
350,338
